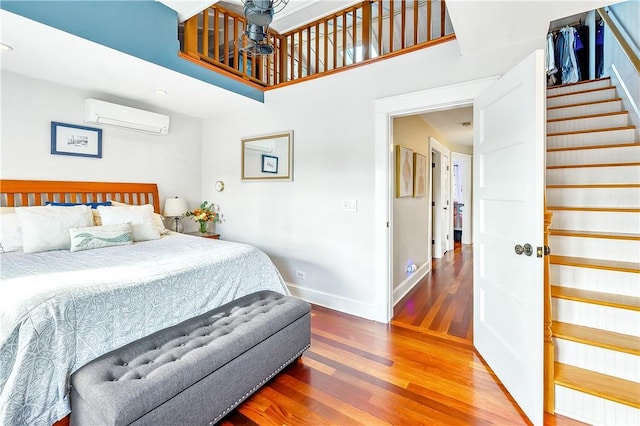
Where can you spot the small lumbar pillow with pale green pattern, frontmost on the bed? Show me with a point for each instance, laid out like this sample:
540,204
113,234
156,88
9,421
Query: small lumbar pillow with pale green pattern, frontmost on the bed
91,237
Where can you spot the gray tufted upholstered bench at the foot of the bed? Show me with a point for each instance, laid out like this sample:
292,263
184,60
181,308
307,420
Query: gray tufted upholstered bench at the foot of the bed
194,372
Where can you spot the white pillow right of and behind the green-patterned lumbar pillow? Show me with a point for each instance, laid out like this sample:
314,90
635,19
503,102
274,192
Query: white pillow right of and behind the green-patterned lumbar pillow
140,217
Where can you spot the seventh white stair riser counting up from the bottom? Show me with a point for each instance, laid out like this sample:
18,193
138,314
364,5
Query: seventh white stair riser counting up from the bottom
594,197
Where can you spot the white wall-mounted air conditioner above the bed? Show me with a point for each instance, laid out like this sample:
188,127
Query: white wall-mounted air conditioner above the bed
107,113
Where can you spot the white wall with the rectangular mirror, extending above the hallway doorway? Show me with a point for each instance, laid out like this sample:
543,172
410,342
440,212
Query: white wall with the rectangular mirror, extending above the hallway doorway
301,224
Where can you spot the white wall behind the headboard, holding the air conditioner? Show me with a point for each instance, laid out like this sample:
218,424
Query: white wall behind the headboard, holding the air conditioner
30,105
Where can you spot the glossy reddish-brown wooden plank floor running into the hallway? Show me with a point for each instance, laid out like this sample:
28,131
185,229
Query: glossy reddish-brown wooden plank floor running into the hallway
421,369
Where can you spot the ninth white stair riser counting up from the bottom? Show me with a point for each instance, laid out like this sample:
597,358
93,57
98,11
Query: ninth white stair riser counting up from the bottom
594,156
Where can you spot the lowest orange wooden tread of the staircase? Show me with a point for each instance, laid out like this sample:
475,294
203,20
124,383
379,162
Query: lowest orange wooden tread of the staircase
608,387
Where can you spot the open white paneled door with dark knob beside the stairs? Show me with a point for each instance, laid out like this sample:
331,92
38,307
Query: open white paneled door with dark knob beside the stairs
508,181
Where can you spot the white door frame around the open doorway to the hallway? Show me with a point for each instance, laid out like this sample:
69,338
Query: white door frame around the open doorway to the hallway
444,97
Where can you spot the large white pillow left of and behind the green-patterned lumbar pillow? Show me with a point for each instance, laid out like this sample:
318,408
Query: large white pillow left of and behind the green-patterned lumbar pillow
46,228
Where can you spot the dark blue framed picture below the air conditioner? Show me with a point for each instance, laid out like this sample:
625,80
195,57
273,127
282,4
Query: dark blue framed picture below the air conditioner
80,141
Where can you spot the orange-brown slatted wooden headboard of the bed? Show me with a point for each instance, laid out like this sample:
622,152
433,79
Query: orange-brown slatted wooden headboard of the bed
21,193
